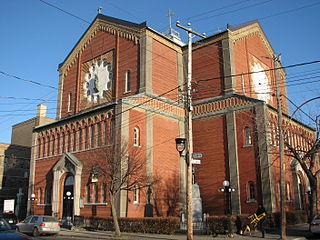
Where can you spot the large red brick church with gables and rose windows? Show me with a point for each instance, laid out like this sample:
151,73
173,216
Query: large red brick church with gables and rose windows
126,78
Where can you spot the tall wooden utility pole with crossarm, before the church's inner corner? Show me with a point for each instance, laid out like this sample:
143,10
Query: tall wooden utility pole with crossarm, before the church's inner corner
189,129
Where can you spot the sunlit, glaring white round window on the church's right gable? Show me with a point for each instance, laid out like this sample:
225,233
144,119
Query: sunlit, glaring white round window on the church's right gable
260,81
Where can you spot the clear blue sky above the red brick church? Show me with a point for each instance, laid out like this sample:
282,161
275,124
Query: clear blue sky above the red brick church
37,35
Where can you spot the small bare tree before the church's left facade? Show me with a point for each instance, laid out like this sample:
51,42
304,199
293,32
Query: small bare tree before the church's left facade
121,168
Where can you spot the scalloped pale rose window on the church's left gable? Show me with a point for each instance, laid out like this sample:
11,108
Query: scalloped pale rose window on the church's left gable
98,80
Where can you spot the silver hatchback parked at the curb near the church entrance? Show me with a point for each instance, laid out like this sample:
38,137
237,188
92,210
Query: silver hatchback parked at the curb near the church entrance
37,225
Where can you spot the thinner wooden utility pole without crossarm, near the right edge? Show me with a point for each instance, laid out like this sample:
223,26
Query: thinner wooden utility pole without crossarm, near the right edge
283,236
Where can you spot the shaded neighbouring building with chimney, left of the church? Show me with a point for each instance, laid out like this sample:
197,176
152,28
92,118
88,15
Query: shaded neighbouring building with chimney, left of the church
15,162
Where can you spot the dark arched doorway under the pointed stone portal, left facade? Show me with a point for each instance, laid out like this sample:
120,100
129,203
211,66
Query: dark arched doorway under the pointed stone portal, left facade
67,212
